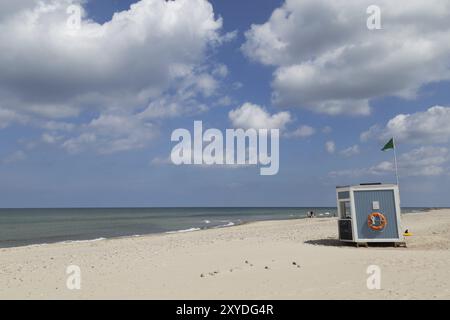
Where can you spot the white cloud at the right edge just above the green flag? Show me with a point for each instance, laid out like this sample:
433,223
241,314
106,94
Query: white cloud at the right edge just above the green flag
430,126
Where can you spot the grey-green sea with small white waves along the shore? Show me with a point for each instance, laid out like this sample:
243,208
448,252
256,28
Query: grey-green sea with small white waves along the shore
19,227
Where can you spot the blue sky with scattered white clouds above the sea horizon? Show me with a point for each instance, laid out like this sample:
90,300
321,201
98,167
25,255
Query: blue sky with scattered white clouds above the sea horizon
87,111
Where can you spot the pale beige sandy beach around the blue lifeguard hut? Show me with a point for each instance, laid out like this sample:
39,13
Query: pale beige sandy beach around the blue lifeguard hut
291,259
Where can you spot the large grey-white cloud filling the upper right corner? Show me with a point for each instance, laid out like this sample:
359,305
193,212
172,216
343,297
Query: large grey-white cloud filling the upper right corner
328,61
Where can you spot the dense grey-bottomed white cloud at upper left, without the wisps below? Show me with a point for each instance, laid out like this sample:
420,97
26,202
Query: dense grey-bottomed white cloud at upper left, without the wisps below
130,58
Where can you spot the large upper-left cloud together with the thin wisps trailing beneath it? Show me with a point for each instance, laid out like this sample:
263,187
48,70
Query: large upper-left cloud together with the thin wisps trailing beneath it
147,62
